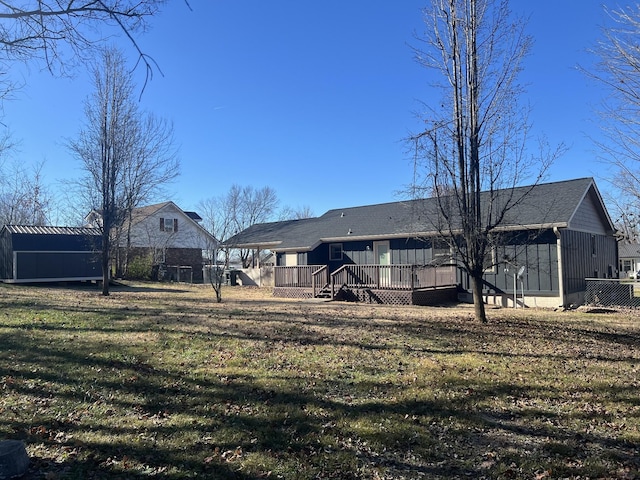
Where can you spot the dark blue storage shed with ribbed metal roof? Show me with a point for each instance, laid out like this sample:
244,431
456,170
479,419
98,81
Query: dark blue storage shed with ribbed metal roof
49,254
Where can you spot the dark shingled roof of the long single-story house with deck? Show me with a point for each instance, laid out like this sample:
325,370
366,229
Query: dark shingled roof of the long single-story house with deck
542,206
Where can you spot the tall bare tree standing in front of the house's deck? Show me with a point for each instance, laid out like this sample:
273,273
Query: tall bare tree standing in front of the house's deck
471,154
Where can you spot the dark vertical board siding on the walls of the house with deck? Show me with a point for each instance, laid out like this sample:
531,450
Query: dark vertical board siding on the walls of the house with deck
536,251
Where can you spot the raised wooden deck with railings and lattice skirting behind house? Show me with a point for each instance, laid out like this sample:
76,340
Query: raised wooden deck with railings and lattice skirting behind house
386,284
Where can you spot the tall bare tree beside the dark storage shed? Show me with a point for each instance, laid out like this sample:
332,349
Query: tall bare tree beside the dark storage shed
126,155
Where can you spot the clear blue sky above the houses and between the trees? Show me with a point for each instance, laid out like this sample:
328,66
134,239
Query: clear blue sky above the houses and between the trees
310,98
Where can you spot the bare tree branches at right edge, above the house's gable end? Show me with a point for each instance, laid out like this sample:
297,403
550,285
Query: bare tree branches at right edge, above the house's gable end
618,69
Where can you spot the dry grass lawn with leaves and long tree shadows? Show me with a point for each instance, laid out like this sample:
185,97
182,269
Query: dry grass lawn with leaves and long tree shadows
159,381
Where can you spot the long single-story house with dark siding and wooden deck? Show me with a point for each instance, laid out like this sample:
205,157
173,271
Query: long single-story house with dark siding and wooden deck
558,235
